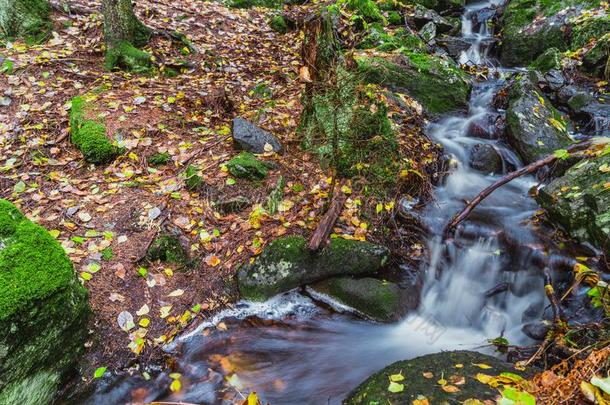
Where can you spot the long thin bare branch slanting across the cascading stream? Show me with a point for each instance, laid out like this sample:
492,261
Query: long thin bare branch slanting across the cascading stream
532,167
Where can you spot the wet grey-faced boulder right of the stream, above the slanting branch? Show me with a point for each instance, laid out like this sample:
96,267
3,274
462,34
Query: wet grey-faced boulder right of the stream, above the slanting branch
533,126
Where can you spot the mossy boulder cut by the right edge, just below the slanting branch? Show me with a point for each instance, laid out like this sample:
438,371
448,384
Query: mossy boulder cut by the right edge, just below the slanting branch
579,201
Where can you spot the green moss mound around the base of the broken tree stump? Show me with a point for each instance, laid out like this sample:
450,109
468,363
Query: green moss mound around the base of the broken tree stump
366,141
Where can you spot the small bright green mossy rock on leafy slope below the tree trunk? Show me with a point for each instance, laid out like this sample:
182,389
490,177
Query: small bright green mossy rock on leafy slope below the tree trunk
89,133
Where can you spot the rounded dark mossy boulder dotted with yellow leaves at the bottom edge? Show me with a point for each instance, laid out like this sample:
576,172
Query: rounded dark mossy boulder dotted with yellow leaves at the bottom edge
406,381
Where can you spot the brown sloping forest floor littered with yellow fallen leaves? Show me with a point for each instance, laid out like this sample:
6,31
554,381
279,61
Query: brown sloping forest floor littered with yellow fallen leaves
107,216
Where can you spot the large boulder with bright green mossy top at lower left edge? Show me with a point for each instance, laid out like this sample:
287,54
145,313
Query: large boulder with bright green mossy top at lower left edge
43,312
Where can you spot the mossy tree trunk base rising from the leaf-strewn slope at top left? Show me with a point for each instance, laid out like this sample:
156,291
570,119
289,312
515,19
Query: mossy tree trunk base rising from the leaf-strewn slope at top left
122,25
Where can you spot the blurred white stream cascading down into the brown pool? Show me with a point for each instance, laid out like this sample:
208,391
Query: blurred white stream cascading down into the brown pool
292,351
